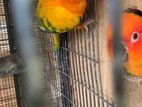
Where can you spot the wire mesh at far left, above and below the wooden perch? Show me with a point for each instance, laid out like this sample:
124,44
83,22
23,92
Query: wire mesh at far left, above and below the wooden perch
7,83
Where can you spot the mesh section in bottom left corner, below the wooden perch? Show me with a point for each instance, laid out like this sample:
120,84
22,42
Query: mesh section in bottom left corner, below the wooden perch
7,92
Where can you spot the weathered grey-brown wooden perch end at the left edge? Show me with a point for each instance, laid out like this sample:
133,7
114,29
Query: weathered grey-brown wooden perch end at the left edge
11,64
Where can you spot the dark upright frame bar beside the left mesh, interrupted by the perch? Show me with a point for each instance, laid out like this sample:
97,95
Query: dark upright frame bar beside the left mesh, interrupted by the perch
11,39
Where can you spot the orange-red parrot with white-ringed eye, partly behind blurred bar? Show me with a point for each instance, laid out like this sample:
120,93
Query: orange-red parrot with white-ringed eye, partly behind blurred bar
131,36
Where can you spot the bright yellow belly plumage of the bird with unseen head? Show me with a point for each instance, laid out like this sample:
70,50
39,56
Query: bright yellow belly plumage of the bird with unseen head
61,19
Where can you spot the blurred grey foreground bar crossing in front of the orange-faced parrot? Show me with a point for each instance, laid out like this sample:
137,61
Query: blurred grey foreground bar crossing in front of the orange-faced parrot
115,9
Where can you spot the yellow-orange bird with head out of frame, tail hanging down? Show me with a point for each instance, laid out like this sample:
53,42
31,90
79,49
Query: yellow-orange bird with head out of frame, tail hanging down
59,16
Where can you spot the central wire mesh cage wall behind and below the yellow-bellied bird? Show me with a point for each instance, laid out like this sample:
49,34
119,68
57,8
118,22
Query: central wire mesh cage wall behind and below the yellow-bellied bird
75,71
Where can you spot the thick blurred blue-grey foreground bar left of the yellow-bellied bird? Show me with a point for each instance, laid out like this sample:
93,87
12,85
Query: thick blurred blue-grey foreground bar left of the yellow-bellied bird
22,10
